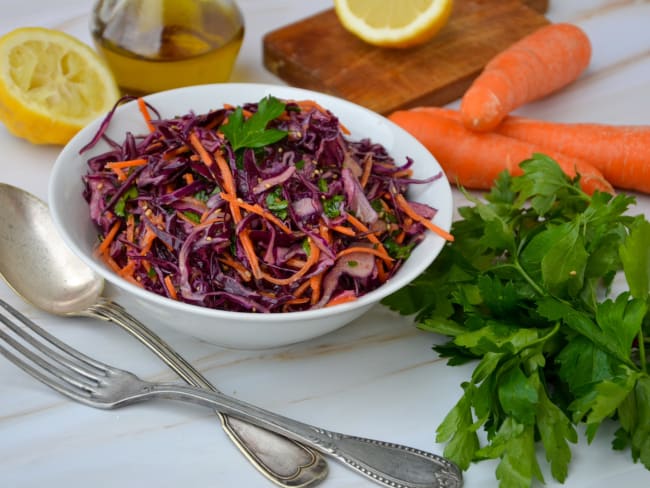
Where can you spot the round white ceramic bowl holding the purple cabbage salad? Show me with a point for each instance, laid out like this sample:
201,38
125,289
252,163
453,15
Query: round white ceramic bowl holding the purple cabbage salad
236,329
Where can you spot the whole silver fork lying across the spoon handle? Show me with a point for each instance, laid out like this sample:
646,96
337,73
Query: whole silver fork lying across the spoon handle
99,385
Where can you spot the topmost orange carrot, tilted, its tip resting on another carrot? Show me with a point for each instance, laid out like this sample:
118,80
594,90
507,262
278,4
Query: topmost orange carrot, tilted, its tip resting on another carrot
533,67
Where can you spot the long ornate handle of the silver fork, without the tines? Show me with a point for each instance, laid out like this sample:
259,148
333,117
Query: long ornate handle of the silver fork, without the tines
389,464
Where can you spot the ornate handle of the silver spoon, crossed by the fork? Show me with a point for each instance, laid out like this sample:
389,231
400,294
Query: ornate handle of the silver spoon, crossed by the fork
283,461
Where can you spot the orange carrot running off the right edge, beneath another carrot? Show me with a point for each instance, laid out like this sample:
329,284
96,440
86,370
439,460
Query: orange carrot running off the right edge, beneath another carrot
620,152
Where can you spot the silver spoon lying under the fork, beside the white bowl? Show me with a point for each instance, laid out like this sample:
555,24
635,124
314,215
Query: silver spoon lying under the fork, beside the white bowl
40,268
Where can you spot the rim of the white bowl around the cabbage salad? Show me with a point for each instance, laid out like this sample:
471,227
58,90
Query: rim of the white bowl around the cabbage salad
443,214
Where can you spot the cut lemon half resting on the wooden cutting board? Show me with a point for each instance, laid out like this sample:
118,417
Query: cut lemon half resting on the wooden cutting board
394,23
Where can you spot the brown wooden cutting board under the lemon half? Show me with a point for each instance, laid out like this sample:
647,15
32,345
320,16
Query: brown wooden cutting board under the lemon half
319,54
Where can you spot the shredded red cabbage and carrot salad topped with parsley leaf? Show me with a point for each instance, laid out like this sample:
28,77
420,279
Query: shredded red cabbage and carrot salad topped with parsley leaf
263,207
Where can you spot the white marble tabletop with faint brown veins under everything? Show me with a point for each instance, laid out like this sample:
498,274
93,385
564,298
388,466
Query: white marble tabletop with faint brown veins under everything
377,377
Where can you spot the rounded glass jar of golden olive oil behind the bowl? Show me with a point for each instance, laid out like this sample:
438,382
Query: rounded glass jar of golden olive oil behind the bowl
154,45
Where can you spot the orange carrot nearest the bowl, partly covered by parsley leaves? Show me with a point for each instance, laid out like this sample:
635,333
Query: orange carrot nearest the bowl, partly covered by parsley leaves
474,159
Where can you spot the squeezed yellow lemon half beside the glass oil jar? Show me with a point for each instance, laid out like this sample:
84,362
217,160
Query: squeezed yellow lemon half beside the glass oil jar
51,85
